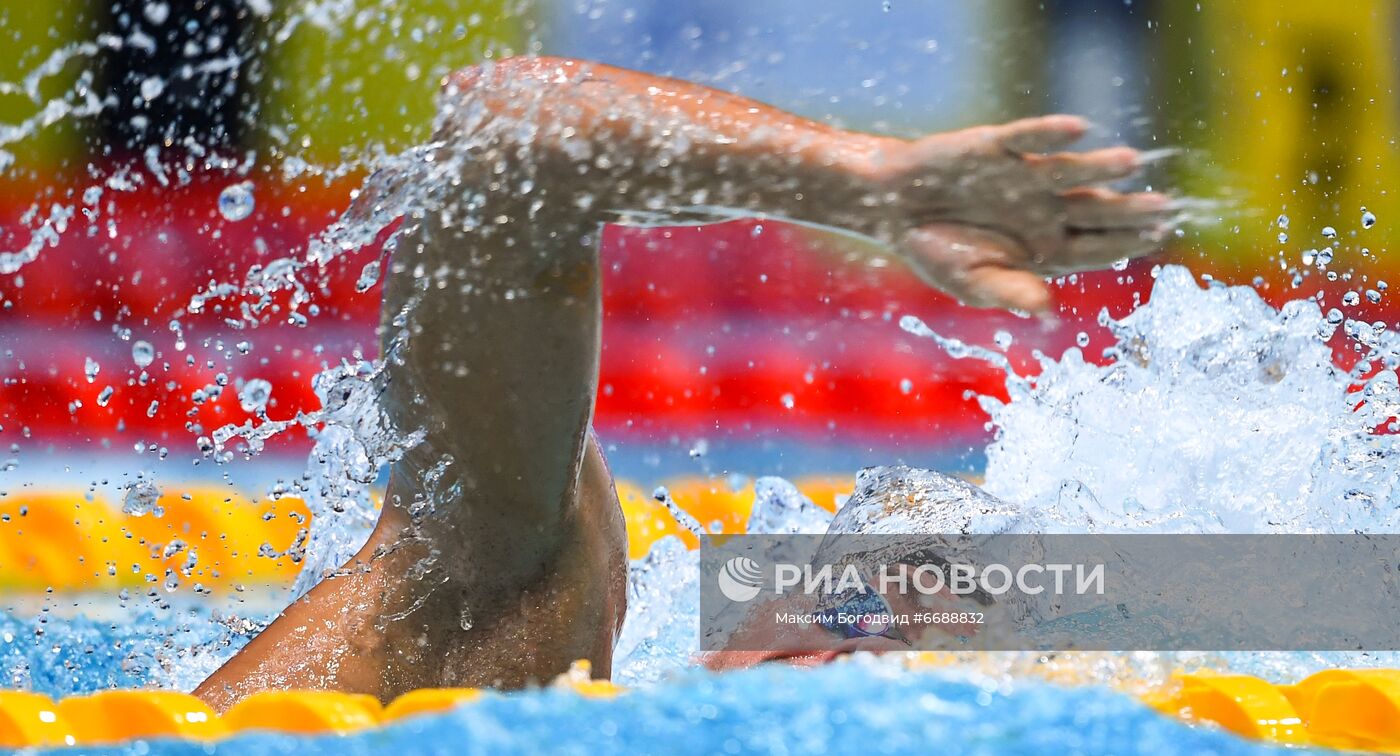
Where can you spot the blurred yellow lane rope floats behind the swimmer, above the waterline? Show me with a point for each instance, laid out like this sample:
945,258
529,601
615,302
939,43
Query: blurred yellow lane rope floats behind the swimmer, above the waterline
218,538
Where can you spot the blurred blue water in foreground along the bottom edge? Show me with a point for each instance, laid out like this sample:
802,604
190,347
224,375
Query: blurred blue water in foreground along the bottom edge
856,708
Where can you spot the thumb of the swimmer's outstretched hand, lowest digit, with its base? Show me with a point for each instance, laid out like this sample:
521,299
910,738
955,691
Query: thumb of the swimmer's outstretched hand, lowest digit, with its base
975,265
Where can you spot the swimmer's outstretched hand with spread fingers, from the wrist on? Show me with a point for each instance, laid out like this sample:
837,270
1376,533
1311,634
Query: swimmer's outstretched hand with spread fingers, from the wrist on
988,213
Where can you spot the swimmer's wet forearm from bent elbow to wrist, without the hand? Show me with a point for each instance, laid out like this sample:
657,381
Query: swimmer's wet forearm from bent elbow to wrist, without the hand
626,142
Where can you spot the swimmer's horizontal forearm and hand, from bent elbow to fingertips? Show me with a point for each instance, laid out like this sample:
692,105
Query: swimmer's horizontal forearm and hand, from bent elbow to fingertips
985,213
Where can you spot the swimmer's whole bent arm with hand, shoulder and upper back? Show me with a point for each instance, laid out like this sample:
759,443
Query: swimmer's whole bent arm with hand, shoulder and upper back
500,555
